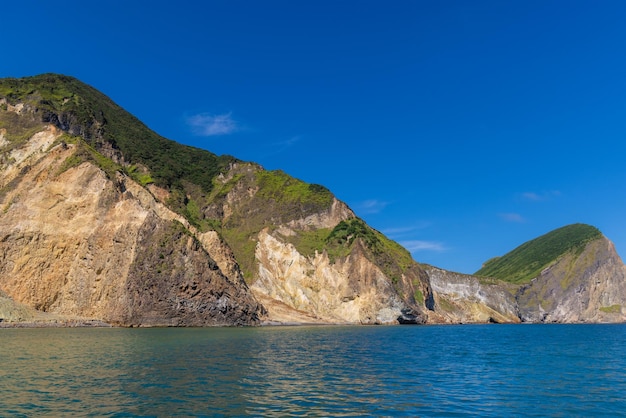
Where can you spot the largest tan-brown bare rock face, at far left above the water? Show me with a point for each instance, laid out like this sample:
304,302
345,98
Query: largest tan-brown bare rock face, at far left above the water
74,242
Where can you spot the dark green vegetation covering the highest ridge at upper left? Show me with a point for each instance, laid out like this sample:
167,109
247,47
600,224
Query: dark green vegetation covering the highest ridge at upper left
82,110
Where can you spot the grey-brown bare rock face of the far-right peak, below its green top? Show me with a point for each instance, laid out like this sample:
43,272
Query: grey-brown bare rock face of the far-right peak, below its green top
585,287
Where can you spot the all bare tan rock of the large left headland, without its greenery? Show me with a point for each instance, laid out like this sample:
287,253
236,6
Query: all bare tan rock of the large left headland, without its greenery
78,244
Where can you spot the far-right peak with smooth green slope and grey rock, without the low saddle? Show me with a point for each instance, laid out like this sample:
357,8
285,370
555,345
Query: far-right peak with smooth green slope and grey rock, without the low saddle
572,274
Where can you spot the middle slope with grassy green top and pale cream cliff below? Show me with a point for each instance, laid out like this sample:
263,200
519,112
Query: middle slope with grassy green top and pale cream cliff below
301,248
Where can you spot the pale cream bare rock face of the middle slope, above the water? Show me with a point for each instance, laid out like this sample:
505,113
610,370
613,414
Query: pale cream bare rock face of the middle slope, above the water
348,291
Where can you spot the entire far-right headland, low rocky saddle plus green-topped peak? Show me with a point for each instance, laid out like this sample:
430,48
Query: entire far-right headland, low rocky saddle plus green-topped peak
570,275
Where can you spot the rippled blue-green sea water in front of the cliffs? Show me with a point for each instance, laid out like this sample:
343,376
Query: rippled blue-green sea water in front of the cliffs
479,370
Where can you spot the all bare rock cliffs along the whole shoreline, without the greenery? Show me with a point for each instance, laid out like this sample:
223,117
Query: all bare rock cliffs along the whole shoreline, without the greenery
76,244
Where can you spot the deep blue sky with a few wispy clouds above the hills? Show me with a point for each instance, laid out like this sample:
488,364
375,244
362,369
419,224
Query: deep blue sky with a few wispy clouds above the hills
460,129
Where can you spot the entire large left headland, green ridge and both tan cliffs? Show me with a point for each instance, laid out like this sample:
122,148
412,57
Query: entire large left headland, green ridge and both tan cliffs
103,218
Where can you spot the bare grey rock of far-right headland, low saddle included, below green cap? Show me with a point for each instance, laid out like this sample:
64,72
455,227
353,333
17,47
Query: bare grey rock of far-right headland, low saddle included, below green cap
588,285
